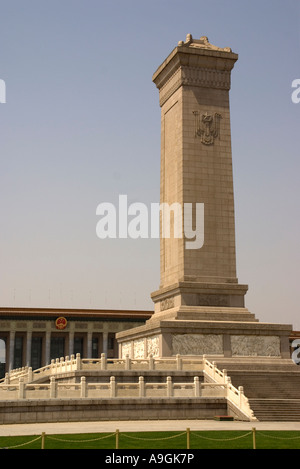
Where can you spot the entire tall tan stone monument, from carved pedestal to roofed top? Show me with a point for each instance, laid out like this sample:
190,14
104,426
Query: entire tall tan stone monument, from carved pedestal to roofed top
200,307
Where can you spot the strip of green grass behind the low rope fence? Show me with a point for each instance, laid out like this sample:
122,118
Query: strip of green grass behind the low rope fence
159,440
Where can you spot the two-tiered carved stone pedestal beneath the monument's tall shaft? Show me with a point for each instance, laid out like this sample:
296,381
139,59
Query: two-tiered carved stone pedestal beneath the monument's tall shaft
202,318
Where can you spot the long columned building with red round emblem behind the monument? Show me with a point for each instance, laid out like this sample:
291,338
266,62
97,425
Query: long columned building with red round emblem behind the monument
35,336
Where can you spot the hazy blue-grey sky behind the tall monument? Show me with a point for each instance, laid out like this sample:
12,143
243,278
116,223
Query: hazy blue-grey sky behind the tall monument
81,125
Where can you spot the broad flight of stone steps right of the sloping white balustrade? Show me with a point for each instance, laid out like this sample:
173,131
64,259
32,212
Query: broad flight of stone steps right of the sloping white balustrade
273,387
